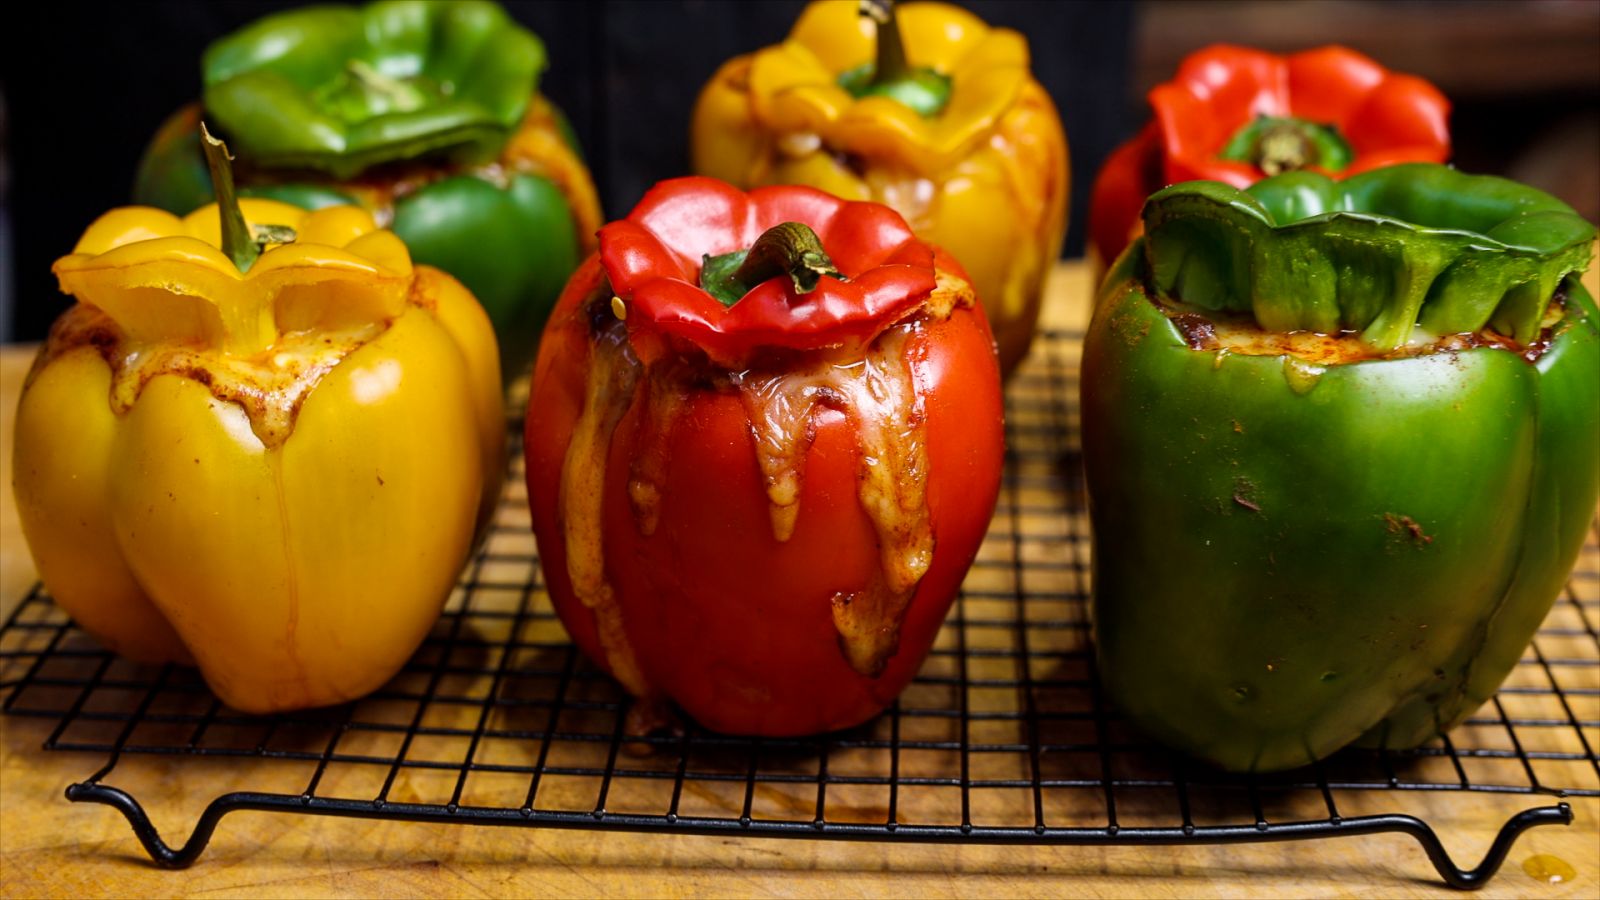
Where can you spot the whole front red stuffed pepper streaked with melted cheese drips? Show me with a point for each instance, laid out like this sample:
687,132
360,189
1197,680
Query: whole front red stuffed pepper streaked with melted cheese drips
711,569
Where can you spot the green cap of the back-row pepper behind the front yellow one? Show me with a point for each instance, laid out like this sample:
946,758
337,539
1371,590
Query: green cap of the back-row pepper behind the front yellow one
343,89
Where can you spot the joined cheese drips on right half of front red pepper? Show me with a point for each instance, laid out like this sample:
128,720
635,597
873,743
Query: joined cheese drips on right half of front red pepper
879,398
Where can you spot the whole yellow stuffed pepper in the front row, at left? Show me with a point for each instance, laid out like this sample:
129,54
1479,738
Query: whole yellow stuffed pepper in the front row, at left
270,467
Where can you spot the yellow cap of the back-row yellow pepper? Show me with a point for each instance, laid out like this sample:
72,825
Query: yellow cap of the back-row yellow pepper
794,86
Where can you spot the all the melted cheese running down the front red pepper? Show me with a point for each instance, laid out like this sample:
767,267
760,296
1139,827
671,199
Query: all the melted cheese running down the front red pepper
887,414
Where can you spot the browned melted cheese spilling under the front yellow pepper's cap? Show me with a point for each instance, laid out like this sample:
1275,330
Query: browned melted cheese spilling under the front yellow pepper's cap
270,387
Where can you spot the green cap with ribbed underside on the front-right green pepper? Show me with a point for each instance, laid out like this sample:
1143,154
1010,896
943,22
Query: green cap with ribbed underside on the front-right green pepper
1382,254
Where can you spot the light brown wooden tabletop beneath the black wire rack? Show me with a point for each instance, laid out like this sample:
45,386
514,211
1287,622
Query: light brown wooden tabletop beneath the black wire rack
50,848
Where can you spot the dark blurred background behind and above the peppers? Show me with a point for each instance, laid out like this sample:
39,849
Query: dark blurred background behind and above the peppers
84,86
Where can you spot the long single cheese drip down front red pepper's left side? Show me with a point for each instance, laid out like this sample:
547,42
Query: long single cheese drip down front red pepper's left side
614,372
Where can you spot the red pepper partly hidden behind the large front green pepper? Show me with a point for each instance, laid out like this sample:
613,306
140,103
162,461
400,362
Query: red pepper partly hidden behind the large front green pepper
1337,113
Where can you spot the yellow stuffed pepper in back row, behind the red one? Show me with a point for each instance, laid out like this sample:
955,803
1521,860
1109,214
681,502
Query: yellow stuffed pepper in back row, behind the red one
985,179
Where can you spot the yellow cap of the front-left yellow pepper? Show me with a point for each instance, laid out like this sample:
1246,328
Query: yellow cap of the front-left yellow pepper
166,279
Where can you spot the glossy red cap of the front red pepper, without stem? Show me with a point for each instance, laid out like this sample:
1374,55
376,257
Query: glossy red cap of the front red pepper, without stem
654,262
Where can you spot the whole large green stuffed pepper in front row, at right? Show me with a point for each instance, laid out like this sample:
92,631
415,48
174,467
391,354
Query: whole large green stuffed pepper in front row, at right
1350,523
